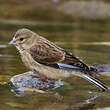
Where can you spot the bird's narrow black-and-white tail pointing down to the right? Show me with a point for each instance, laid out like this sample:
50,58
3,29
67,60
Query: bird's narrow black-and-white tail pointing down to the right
94,81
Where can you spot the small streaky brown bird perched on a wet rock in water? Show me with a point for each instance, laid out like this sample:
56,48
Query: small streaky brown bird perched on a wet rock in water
47,59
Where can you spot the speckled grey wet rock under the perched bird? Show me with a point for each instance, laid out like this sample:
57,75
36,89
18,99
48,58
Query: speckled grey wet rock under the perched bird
35,81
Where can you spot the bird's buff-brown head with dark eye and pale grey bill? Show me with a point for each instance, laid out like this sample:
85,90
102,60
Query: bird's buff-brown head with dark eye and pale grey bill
23,39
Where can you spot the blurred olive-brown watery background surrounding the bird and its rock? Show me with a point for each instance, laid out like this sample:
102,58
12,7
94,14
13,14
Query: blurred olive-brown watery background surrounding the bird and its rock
79,26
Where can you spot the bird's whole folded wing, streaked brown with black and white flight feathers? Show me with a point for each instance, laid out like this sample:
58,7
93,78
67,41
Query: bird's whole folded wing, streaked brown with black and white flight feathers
49,54
